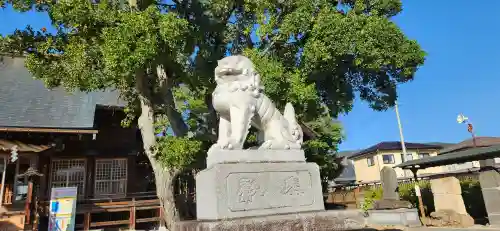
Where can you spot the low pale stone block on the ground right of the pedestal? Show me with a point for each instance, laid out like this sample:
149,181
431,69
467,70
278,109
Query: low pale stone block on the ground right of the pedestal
403,217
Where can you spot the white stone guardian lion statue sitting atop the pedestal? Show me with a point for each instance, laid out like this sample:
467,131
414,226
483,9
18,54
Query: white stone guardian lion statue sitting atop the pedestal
241,103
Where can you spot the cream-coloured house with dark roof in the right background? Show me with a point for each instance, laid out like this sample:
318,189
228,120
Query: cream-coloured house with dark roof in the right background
369,162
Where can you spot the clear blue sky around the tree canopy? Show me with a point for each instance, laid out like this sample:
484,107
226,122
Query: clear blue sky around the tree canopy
460,74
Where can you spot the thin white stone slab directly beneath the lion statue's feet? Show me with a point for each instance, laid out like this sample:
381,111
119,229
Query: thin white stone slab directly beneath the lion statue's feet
253,156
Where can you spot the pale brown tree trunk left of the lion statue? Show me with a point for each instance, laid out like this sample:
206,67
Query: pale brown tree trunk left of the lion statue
164,178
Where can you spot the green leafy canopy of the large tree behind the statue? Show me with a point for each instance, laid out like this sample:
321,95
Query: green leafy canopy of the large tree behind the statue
308,53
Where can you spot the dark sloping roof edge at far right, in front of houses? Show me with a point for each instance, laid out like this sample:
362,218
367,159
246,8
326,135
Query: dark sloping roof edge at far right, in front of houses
481,153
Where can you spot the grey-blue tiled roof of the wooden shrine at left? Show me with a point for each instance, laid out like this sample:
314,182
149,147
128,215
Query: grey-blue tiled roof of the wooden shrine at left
26,102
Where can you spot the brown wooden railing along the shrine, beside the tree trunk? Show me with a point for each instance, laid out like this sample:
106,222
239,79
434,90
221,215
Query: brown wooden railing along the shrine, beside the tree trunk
130,205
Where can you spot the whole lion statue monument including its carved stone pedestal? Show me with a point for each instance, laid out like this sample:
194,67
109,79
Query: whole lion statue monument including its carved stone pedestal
266,187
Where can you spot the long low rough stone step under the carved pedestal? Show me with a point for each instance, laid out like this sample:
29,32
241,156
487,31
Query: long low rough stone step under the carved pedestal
310,221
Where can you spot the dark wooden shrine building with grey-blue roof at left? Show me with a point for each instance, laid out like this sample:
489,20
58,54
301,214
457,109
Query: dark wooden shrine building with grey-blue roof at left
69,140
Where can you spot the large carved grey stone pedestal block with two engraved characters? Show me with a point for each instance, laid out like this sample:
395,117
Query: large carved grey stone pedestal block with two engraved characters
225,191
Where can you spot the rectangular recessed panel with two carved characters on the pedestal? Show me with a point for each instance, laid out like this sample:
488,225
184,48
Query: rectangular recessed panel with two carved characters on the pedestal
268,190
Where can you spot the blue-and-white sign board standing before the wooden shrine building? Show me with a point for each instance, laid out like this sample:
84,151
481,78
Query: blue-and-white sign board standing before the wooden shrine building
62,209
